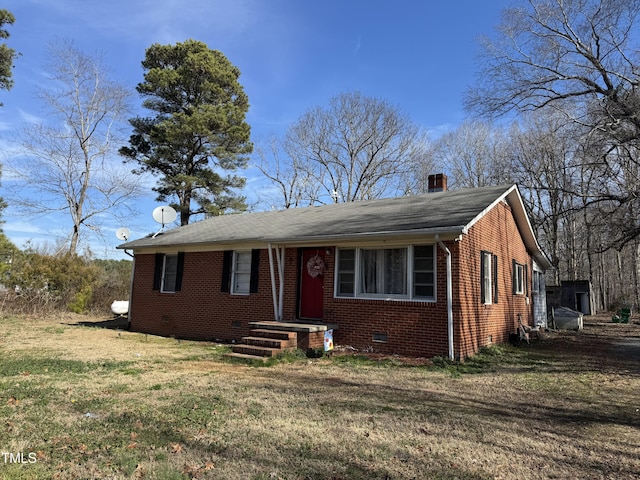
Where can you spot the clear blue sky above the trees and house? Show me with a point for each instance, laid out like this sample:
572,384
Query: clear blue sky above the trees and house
419,55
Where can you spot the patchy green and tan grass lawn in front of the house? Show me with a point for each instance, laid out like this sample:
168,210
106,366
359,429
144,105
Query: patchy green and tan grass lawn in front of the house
81,402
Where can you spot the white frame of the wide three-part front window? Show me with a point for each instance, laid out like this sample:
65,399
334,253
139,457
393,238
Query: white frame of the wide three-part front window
409,273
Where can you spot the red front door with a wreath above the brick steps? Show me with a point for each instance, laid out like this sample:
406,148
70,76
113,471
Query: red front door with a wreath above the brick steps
312,283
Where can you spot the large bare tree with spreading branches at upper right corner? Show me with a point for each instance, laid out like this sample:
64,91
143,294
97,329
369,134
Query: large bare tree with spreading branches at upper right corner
578,57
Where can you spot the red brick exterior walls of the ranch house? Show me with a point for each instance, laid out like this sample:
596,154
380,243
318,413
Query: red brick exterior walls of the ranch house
201,311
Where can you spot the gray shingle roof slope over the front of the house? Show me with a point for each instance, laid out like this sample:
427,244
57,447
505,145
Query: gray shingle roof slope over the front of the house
438,212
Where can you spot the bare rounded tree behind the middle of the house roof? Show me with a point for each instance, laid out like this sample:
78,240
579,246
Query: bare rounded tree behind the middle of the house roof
356,148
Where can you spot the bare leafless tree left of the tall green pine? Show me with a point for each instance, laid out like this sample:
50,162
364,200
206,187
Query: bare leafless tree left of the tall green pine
68,158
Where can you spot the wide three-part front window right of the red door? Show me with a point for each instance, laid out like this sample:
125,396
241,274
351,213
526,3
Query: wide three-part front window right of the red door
402,273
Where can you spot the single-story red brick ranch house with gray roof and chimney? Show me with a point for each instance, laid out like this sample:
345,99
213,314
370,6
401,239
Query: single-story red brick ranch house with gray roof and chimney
439,274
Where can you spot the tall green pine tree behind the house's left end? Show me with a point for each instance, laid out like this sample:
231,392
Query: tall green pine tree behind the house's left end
198,136
